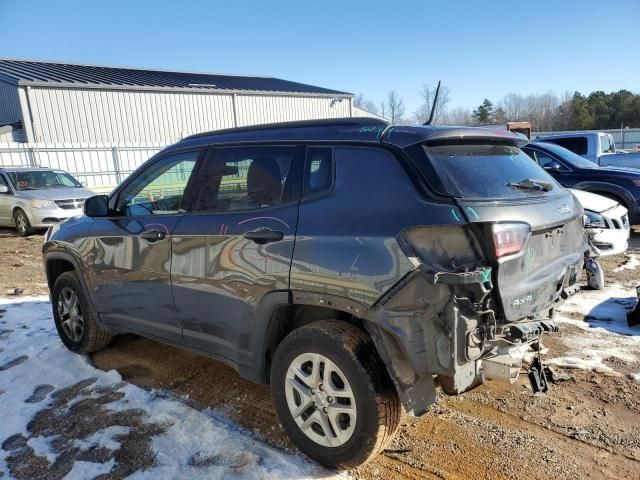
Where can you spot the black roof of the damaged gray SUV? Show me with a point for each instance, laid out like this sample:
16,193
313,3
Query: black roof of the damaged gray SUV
350,130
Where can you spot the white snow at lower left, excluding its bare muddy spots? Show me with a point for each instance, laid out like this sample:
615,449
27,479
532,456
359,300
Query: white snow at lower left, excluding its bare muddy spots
228,451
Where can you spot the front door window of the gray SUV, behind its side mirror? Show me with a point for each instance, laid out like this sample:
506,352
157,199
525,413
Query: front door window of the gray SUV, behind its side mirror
159,190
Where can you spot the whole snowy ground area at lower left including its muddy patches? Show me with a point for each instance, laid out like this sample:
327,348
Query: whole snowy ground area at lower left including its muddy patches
61,417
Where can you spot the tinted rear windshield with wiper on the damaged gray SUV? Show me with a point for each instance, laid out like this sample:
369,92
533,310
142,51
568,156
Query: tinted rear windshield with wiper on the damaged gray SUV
489,172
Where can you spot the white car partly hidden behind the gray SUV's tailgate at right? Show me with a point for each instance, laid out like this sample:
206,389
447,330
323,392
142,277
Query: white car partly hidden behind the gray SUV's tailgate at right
606,223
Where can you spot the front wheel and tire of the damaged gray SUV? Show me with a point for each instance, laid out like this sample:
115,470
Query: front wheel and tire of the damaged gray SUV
75,321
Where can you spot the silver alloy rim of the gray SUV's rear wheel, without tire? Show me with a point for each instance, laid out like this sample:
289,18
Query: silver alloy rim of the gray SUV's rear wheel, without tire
320,400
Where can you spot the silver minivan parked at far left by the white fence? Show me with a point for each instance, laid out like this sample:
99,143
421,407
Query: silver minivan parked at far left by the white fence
36,198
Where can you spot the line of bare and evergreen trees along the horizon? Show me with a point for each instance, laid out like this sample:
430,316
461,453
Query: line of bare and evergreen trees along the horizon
546,112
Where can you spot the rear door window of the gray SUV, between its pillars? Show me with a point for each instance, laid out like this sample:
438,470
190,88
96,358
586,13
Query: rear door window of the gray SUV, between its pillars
245,178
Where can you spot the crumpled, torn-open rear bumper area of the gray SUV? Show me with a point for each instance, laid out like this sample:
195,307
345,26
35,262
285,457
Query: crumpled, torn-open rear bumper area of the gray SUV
445,325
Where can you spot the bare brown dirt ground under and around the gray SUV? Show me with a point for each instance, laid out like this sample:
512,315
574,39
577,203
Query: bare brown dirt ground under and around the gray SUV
588,426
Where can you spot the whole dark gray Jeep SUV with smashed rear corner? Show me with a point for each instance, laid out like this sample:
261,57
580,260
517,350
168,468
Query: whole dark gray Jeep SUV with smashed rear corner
345,262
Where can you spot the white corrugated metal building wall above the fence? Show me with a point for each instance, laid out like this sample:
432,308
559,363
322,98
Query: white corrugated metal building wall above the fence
121,116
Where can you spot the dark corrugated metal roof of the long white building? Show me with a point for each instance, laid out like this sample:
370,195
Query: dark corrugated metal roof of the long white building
24,72
